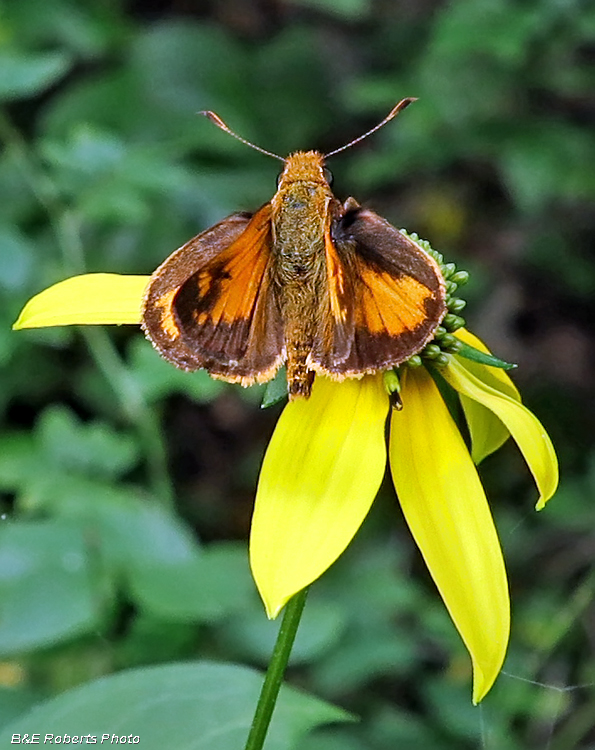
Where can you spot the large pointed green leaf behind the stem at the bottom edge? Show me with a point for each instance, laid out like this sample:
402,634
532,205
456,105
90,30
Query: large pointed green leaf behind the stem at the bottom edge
183,706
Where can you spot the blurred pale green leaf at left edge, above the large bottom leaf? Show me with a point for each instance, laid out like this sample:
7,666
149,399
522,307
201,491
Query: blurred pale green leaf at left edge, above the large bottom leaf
47,589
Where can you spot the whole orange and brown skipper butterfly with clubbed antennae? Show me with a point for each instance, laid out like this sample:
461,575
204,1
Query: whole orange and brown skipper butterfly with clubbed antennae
322,286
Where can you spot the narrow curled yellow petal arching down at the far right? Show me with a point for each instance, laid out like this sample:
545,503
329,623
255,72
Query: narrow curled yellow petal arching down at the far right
528,433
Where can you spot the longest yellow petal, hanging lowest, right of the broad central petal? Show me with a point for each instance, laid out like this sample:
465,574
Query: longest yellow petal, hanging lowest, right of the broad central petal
446,509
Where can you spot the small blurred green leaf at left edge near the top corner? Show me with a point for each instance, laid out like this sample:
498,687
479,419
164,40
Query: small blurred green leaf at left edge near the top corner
23,75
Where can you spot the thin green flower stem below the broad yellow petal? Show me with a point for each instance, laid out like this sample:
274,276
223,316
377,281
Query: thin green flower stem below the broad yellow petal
276,669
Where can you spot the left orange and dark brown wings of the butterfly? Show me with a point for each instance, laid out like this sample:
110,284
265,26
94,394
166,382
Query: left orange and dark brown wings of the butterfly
210,305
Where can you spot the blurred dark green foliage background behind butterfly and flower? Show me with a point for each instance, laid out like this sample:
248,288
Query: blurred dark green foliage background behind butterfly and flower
126,486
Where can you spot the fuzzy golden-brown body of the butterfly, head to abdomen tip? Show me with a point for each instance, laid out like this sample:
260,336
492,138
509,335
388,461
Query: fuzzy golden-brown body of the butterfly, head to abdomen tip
300,219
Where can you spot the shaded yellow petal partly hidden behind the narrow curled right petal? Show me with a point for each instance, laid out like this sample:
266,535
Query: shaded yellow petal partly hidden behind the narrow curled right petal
488,433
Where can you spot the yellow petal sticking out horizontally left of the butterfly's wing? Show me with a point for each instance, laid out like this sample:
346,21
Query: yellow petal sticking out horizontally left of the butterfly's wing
92,298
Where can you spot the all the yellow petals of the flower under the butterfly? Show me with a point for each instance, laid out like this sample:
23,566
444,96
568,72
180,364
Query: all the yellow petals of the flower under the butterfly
327,458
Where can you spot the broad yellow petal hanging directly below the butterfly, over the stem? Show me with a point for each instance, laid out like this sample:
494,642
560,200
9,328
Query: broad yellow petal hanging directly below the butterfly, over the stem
320,474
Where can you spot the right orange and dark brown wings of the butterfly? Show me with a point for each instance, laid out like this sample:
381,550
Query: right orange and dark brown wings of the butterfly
386,296
